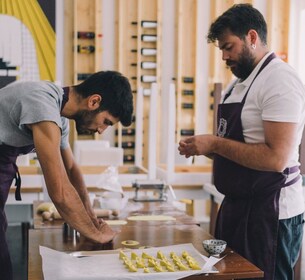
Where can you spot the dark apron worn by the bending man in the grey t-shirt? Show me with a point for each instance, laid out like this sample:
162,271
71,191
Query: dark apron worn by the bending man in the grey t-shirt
9,172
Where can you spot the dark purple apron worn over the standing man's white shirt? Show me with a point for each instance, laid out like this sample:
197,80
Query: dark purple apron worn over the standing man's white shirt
248,216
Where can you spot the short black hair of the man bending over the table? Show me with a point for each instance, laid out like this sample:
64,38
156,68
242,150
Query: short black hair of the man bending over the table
115,91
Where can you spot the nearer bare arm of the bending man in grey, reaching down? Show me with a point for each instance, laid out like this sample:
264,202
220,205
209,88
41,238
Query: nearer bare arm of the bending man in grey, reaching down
66,199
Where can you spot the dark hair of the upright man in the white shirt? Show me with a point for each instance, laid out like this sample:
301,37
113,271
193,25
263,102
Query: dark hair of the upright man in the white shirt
239,19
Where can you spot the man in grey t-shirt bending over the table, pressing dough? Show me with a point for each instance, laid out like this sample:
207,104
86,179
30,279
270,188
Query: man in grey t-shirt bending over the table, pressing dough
35,115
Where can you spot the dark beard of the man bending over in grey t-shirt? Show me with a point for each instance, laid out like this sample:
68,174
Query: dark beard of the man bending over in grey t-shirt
83,120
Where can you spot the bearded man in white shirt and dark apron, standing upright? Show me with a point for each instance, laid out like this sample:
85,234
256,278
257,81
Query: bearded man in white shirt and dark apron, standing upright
256,150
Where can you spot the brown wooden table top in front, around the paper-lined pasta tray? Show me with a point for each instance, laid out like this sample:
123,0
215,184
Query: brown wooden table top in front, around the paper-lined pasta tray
232,266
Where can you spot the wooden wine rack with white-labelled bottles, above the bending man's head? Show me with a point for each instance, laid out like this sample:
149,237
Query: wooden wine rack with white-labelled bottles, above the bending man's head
131,40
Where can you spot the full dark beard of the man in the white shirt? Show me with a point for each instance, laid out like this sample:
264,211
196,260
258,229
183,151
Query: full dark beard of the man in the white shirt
245,64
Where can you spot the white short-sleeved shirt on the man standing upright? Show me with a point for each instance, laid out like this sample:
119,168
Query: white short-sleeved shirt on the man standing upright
278,95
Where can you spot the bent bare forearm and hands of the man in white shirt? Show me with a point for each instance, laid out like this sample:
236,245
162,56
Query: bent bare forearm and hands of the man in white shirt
273,155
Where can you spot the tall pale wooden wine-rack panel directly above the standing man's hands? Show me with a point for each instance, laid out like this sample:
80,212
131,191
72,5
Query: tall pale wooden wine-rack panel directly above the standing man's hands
186,17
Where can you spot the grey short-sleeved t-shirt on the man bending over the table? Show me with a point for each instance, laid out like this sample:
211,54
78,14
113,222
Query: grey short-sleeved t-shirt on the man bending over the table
25,102
